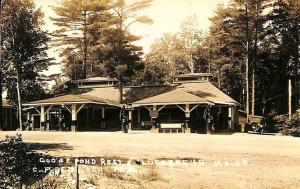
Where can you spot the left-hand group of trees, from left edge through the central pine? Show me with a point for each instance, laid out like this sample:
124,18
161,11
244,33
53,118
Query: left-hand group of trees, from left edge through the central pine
93,38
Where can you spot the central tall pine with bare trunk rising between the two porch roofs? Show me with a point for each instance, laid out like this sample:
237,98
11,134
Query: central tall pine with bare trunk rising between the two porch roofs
125,56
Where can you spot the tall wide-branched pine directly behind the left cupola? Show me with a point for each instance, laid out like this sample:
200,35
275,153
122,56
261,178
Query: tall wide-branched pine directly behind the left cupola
81,23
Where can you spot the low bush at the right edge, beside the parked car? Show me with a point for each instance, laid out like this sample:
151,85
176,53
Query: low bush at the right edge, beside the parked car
288,126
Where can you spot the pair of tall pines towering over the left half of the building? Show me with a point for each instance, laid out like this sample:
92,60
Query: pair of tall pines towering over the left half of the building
99,38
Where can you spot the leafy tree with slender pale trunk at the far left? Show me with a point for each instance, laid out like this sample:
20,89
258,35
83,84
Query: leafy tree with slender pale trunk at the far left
24,51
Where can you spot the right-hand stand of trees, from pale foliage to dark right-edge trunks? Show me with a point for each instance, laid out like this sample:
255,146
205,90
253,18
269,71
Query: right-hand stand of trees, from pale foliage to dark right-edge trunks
251,49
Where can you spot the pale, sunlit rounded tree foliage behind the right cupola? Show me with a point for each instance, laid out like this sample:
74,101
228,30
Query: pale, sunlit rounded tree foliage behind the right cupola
177,53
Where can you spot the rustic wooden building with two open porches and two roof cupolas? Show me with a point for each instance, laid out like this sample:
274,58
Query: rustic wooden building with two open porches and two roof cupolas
180,106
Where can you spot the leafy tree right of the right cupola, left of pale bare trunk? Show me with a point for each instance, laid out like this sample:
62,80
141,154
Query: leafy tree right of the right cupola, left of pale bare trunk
227,51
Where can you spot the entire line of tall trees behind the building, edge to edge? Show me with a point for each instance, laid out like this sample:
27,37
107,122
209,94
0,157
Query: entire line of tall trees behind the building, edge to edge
251,49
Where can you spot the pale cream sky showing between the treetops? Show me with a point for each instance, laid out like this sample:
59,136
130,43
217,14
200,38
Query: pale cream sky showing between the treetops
167,16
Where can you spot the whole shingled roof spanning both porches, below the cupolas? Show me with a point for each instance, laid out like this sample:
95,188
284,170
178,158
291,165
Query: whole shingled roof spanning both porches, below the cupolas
199,92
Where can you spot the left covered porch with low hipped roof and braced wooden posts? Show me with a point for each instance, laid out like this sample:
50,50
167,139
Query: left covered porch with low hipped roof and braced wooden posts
73,113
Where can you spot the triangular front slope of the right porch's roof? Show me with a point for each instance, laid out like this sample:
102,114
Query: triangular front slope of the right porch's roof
172,97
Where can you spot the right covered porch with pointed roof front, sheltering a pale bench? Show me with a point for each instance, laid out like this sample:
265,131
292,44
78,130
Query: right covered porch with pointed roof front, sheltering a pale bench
180,107
